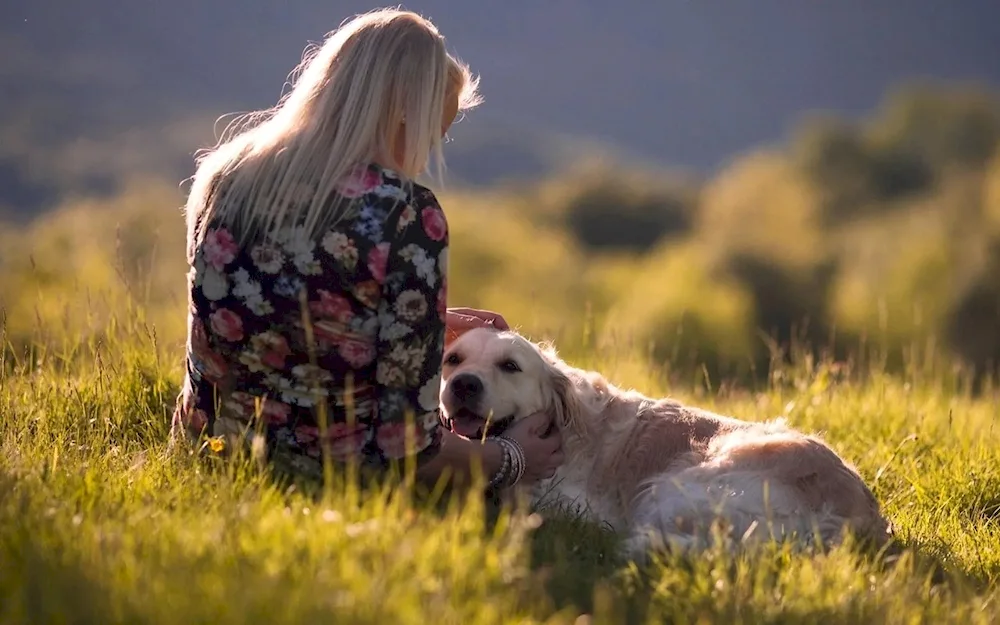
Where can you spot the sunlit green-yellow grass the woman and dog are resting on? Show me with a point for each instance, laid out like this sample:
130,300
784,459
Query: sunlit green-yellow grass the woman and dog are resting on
102,522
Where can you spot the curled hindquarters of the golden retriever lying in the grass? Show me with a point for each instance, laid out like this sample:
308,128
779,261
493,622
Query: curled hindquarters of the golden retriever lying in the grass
761,481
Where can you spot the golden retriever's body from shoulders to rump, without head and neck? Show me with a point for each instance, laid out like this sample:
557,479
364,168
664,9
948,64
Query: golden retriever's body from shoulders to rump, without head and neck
666,472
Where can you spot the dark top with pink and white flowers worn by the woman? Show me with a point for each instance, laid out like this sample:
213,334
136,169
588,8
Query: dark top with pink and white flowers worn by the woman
351,321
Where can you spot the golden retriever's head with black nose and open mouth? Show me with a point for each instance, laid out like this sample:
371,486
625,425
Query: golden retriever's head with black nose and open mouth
491,379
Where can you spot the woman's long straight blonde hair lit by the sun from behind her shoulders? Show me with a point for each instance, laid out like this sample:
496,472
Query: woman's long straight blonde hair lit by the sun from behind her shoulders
283,165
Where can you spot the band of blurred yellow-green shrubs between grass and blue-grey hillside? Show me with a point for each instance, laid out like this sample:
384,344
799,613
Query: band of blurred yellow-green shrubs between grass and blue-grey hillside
885,232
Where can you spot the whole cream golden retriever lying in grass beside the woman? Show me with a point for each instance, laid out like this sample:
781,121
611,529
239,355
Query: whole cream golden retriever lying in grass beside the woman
661,473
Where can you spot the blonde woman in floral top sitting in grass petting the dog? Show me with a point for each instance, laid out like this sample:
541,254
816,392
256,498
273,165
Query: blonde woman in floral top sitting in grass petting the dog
318,269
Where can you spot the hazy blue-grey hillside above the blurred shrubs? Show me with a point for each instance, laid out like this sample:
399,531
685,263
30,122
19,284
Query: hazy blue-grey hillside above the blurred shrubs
91,90
